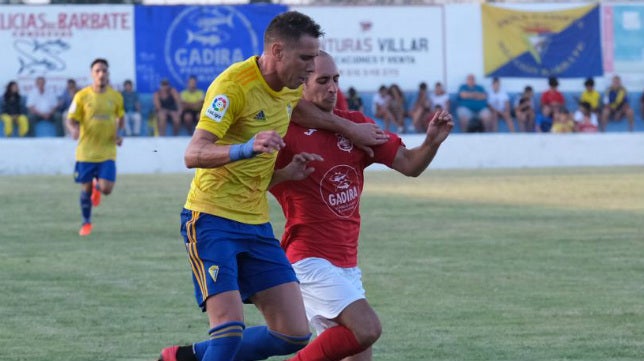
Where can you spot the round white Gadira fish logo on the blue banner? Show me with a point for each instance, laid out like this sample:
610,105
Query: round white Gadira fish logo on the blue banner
203,41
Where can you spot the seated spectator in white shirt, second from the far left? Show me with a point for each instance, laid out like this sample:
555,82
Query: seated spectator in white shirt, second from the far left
42,105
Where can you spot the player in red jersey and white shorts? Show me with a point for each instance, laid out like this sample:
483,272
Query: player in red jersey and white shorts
323,219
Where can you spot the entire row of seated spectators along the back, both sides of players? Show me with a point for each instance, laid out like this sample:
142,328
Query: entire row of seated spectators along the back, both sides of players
476,108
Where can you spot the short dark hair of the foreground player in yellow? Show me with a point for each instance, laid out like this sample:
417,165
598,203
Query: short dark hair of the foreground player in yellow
290,26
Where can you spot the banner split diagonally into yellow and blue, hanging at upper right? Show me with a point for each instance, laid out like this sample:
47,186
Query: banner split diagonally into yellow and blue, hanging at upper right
562,43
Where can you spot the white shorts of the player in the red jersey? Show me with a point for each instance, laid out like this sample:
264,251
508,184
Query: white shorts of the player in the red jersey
327,290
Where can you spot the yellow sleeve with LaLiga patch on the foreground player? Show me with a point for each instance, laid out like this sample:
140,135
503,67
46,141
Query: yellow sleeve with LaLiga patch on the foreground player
222,105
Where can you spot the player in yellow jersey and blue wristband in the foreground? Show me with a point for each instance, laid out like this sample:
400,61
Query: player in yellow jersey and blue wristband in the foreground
233,252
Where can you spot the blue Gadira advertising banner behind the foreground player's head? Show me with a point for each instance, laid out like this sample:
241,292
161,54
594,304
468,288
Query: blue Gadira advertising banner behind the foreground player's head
175,42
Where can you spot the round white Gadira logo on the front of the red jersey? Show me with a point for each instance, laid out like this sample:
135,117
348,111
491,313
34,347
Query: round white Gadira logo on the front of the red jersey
340,189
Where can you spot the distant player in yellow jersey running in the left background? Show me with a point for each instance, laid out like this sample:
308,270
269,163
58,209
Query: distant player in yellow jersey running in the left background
94,118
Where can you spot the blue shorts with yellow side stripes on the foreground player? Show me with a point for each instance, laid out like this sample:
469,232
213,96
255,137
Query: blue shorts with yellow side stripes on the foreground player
226,255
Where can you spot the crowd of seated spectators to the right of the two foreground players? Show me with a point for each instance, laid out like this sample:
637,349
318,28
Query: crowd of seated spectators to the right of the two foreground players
478,109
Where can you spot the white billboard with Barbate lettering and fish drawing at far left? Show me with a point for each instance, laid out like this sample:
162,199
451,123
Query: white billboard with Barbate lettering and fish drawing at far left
60,42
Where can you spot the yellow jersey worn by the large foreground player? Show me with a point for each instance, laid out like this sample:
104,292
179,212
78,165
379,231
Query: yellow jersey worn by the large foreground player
239,104
